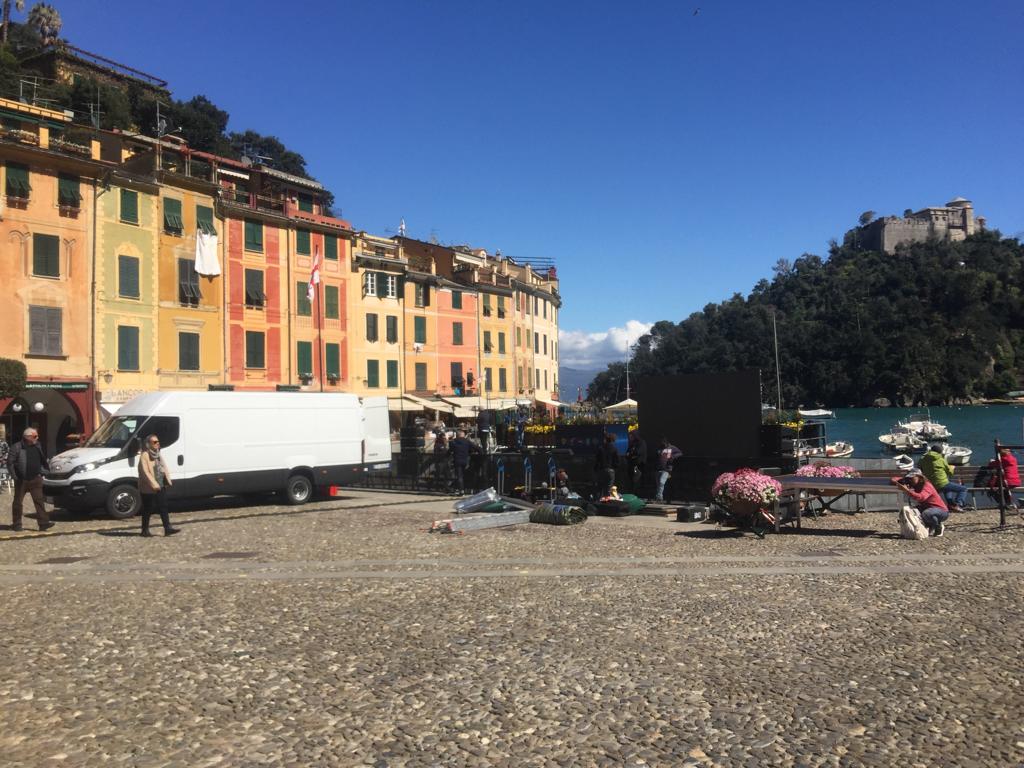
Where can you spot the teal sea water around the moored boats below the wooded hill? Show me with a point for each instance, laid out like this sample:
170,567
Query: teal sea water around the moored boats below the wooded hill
973,426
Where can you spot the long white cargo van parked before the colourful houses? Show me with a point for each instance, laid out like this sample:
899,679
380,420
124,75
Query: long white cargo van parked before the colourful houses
226,443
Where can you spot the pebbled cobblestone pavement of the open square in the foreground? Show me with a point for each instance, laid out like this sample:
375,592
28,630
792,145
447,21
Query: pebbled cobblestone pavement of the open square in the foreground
343,634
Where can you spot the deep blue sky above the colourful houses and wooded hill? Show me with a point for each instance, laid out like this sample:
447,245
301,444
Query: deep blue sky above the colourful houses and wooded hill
665,160
